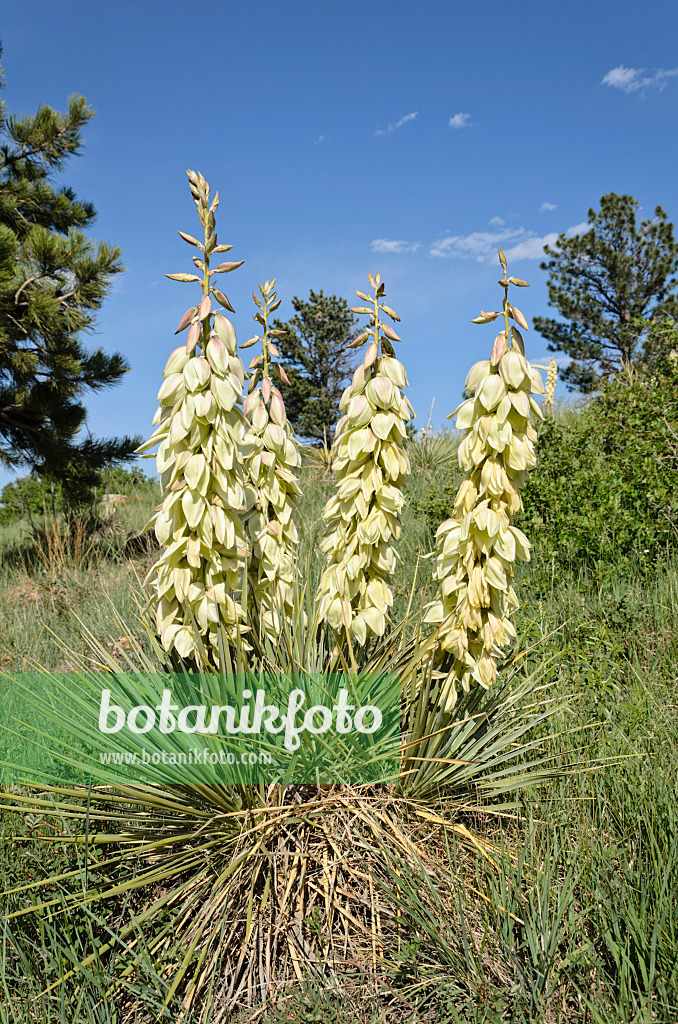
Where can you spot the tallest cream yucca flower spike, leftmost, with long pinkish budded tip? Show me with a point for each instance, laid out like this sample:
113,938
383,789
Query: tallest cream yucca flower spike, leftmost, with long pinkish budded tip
200,428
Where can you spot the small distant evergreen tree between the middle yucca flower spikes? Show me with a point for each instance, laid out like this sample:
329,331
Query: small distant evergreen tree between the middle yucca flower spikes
315,356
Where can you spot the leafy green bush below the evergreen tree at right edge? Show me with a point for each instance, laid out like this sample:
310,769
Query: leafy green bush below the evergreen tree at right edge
607,480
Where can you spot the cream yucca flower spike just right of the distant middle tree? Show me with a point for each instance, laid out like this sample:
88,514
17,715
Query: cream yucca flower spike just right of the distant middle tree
363,517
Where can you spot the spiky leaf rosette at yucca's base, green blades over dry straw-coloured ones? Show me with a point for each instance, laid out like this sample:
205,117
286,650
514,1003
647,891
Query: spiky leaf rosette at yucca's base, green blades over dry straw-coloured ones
233,893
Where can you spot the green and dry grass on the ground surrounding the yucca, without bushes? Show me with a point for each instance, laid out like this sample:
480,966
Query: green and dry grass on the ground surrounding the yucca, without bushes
578,922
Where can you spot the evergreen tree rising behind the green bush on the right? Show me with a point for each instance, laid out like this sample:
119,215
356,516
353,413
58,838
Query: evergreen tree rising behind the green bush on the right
606,283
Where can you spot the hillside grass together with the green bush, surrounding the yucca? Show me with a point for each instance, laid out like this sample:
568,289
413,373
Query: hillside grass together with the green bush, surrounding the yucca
577,920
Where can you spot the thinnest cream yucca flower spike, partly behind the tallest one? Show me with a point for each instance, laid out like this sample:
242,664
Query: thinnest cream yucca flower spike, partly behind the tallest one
271,454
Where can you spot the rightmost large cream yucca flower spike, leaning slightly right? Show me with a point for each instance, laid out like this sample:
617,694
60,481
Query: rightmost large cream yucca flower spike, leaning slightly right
479,546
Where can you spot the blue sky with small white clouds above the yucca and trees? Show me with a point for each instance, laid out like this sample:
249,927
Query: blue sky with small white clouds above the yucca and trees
409,139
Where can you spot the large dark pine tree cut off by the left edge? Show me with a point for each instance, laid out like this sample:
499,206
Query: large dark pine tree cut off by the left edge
53,281
